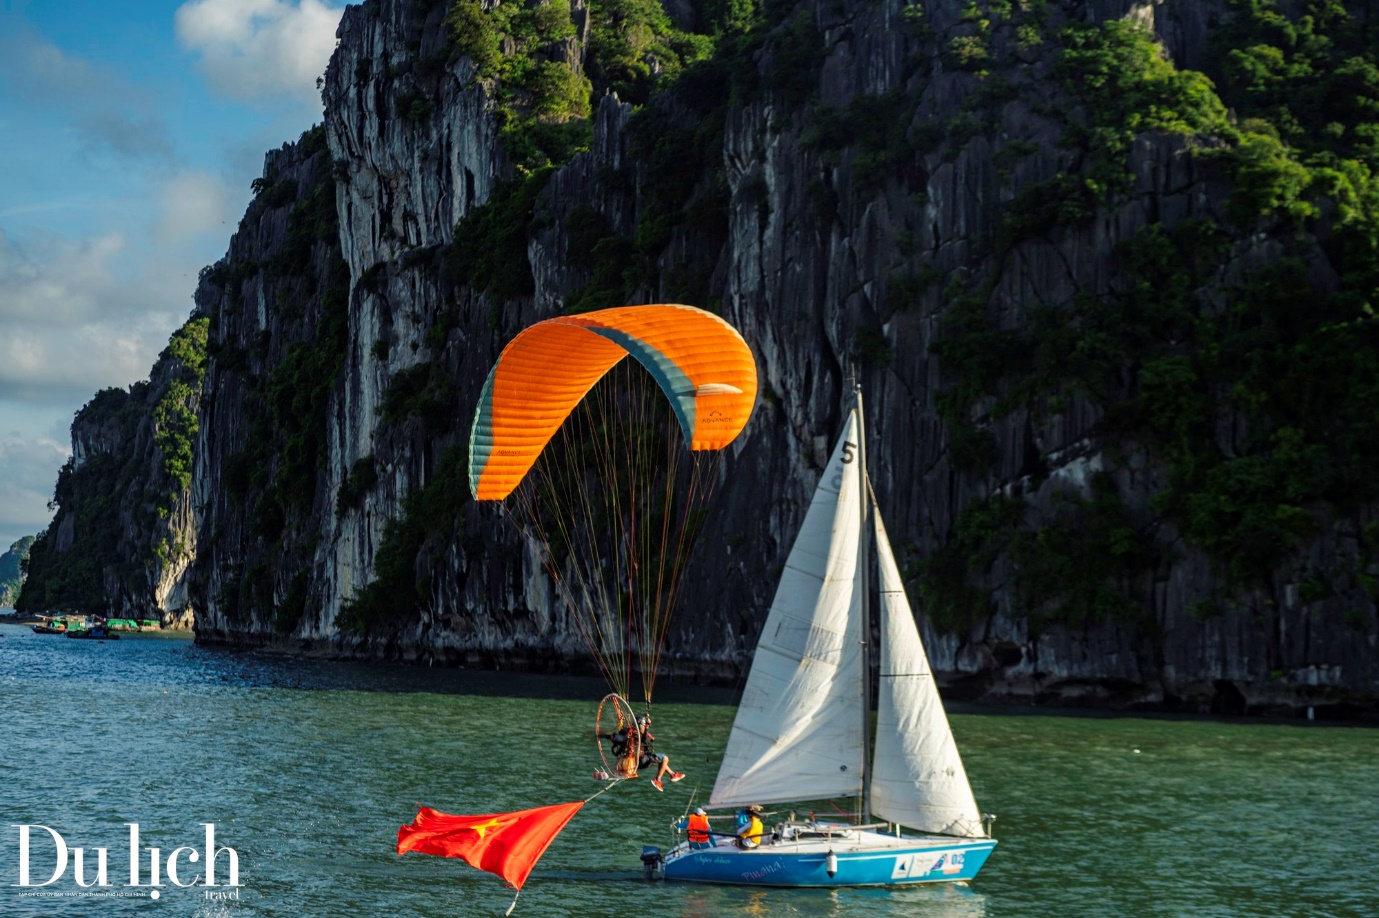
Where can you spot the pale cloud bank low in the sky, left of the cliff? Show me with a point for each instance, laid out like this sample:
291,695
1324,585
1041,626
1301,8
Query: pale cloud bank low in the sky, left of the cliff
79,316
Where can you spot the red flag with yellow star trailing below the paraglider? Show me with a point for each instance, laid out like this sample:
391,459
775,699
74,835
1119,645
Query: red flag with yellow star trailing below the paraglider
504,844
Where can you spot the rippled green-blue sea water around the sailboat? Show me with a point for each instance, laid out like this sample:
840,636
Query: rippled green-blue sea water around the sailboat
308,770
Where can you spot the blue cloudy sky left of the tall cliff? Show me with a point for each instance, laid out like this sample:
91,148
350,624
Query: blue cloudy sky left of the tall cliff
130,133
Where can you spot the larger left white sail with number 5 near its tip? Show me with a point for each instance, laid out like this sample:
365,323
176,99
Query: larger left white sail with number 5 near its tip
799,728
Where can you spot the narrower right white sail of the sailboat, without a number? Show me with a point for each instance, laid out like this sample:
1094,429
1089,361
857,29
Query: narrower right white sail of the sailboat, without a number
918,777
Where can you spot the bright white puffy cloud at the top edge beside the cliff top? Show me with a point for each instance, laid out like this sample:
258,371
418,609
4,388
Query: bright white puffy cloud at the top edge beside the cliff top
261,48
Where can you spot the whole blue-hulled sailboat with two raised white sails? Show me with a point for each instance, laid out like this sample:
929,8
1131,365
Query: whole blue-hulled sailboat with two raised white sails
802,727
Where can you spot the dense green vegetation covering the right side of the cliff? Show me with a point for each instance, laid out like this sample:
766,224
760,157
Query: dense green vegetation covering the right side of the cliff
1192,333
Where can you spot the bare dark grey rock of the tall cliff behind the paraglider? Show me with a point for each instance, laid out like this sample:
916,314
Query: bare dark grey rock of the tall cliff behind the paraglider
874,188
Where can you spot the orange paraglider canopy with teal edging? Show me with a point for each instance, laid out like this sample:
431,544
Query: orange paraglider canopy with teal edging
698,360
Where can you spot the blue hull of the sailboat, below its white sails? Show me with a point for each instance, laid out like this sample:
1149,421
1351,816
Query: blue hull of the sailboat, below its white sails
872,861
